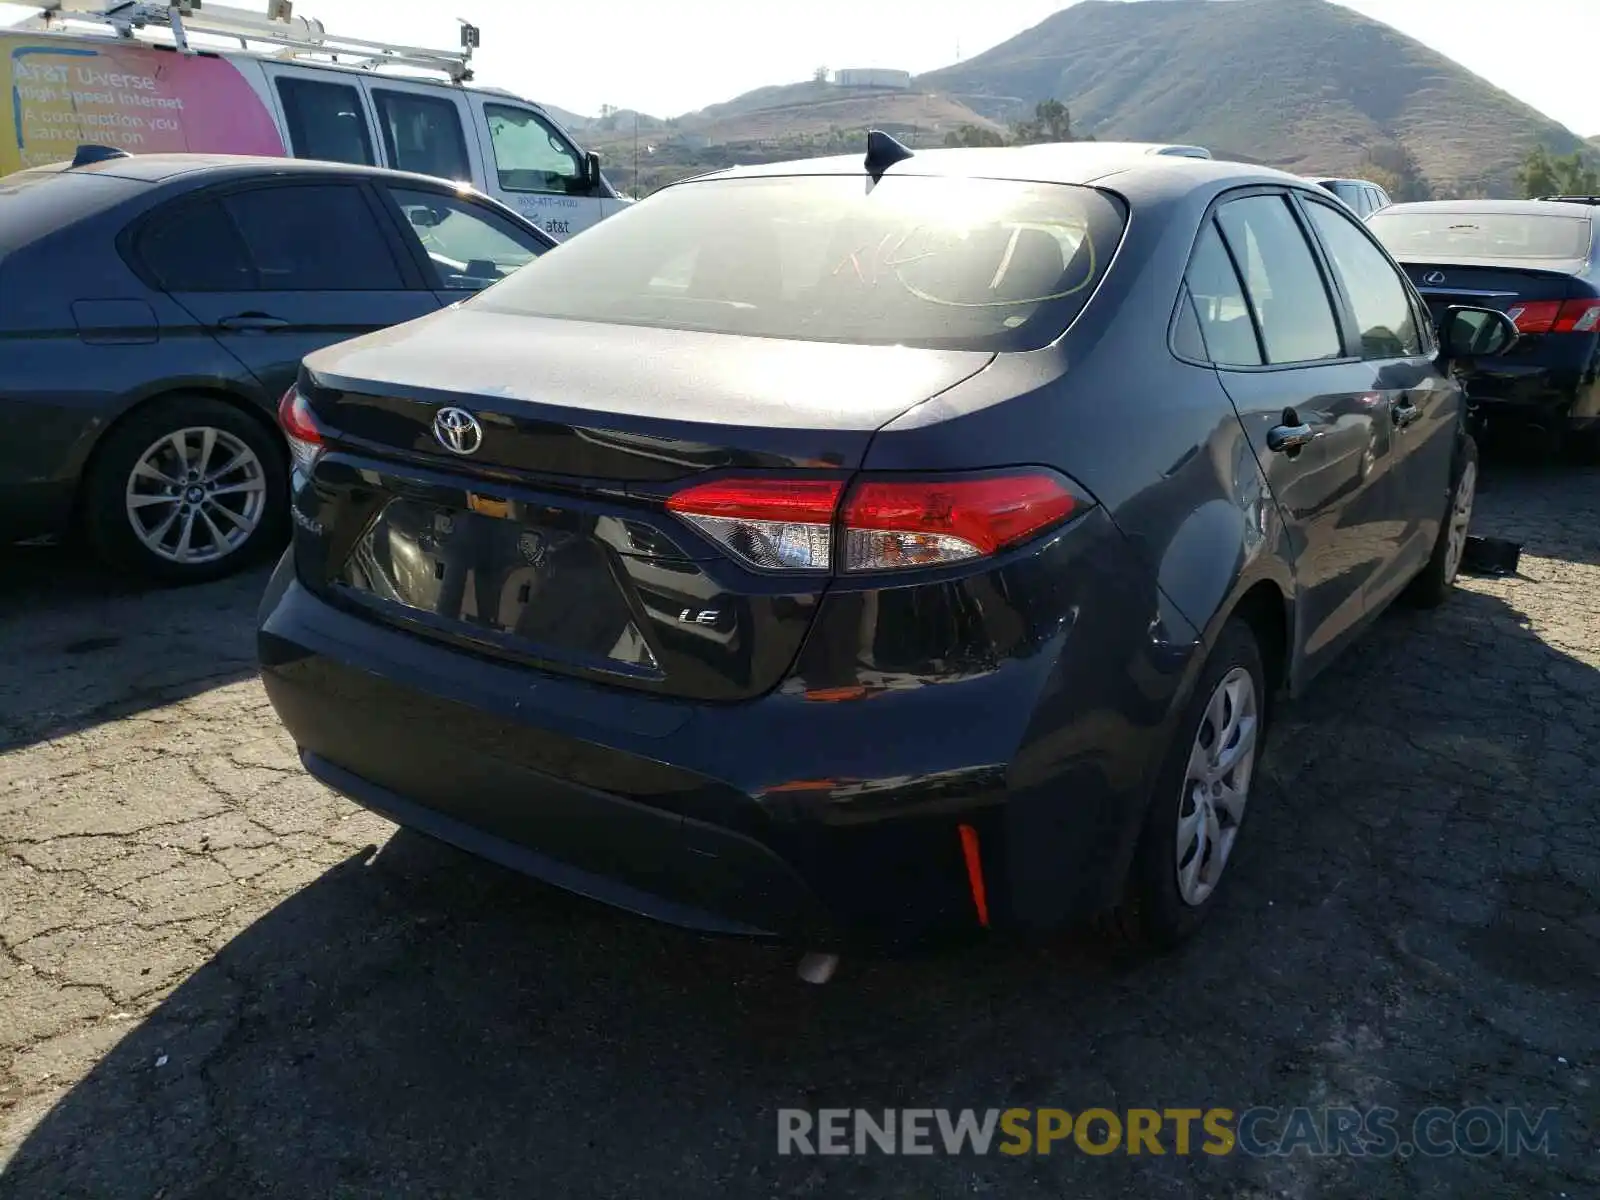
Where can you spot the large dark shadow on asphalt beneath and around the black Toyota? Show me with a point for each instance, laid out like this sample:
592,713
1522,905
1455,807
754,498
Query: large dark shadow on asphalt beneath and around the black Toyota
420,1023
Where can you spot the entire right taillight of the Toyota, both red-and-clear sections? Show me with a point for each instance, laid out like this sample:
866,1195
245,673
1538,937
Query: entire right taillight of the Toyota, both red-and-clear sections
887,524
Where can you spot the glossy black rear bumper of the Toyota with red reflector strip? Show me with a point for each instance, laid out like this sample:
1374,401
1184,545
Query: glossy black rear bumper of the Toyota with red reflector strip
783,817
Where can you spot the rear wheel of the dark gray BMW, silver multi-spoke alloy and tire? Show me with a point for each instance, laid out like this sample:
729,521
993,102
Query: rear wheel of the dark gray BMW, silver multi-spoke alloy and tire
124,506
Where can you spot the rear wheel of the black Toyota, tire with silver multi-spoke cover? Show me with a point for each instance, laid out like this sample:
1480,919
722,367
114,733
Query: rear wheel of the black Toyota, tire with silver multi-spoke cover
1159,913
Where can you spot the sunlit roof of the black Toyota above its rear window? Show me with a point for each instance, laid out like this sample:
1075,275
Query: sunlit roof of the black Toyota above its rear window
1134,166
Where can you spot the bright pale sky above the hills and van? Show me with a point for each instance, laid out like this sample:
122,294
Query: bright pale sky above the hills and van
673,57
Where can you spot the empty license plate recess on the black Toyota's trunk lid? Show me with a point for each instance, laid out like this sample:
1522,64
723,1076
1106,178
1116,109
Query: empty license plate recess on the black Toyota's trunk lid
529,578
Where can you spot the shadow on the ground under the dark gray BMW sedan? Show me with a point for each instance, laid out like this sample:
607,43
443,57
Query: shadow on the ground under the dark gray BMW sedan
84,646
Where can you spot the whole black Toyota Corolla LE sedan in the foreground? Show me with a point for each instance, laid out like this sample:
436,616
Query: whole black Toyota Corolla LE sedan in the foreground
862,548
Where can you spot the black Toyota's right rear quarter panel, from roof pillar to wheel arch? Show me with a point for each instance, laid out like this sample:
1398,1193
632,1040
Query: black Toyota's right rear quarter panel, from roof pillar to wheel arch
1154,439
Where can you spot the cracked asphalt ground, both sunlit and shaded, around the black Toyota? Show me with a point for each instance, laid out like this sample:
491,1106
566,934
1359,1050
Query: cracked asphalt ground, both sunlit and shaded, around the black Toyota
218,980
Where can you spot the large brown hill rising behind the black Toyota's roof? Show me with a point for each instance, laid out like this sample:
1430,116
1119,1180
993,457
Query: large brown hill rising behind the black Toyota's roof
1302,84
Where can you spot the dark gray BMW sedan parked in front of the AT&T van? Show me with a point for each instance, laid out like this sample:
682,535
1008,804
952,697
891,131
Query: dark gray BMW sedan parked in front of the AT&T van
156,308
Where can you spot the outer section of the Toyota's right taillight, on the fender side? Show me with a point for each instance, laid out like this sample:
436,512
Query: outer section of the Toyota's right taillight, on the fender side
892,524
